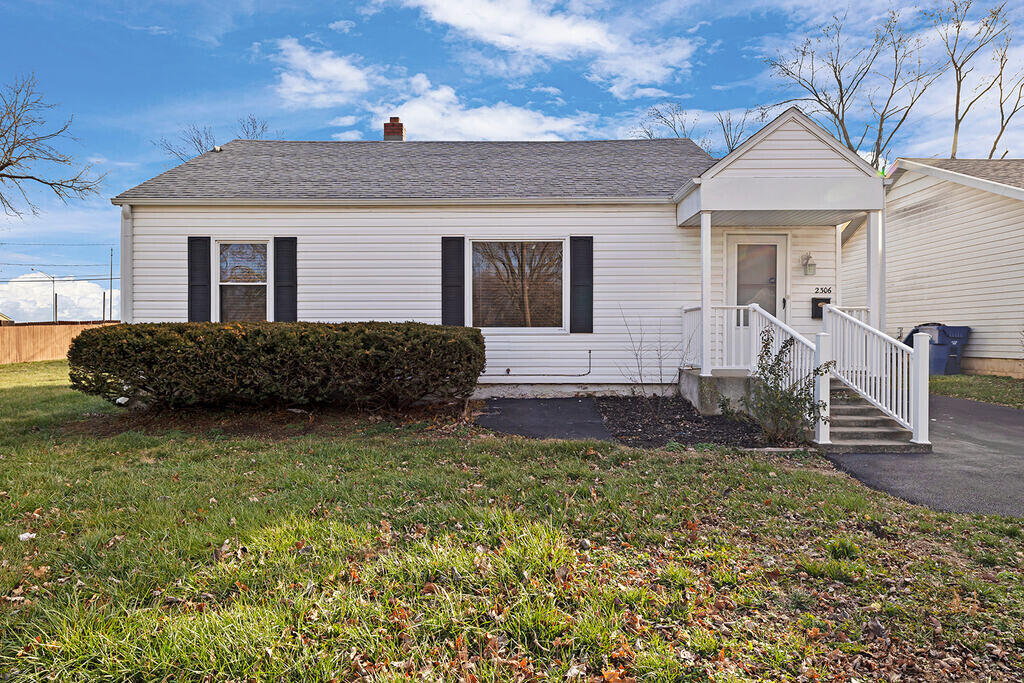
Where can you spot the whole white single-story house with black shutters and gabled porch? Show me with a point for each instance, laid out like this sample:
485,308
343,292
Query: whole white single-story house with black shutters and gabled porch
589,266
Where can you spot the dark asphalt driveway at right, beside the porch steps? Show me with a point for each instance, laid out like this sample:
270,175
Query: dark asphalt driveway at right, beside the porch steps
977,464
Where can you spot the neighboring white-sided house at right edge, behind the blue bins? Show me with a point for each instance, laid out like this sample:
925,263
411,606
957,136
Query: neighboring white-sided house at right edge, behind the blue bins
955,255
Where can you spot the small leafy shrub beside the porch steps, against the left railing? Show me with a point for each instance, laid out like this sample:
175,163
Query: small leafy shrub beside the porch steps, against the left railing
783,408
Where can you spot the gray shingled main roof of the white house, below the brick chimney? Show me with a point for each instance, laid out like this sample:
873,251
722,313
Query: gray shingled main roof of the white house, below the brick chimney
284,170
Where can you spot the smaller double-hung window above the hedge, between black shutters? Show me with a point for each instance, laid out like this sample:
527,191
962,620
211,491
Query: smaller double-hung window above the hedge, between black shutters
243,282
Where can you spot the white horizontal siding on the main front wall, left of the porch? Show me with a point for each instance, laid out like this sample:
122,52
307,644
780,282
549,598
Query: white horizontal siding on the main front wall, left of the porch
359,265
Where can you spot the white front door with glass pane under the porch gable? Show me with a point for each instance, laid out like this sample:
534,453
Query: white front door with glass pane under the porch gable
755,274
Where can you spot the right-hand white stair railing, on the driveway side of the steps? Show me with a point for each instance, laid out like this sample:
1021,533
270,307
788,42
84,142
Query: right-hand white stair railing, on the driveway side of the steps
890,375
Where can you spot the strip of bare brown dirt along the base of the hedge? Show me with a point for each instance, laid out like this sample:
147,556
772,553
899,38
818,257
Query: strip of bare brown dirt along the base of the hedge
272,424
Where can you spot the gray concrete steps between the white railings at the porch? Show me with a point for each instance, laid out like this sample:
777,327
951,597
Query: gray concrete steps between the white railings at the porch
857,426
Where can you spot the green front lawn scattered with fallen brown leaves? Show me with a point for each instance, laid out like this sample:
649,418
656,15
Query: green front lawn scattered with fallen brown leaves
335,549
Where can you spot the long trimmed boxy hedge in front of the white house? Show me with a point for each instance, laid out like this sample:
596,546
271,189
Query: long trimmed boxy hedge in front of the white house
364,365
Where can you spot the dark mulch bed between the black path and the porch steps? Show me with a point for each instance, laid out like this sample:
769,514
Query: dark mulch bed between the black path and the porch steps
657,421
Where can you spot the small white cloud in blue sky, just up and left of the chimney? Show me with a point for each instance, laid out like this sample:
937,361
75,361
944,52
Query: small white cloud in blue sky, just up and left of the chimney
318,78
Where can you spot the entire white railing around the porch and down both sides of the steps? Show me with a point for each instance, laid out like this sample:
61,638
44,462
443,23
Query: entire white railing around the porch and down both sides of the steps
890,375
